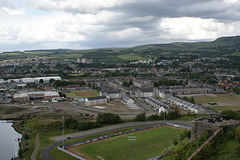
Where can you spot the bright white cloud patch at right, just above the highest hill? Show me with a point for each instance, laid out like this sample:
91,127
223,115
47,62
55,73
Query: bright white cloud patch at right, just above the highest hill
189,28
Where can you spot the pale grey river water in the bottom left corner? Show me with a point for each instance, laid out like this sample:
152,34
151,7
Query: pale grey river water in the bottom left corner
9,144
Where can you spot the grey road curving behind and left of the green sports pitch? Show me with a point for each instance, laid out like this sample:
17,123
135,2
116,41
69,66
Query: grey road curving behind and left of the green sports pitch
58,139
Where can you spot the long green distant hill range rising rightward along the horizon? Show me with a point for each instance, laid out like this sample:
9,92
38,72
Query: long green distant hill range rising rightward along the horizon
224,46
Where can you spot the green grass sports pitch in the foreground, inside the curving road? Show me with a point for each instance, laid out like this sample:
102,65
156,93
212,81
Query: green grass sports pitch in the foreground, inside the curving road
148,144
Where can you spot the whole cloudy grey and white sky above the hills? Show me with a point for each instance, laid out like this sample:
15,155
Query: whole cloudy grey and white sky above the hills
86,24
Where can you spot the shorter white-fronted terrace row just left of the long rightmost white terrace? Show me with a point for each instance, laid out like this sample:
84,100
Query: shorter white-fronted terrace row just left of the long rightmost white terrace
160,106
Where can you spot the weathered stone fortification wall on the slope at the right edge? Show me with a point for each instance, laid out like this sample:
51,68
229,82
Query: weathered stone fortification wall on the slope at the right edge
201,124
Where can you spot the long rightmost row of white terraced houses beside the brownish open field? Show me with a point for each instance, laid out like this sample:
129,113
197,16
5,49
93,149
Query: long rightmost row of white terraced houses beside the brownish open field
186,105
